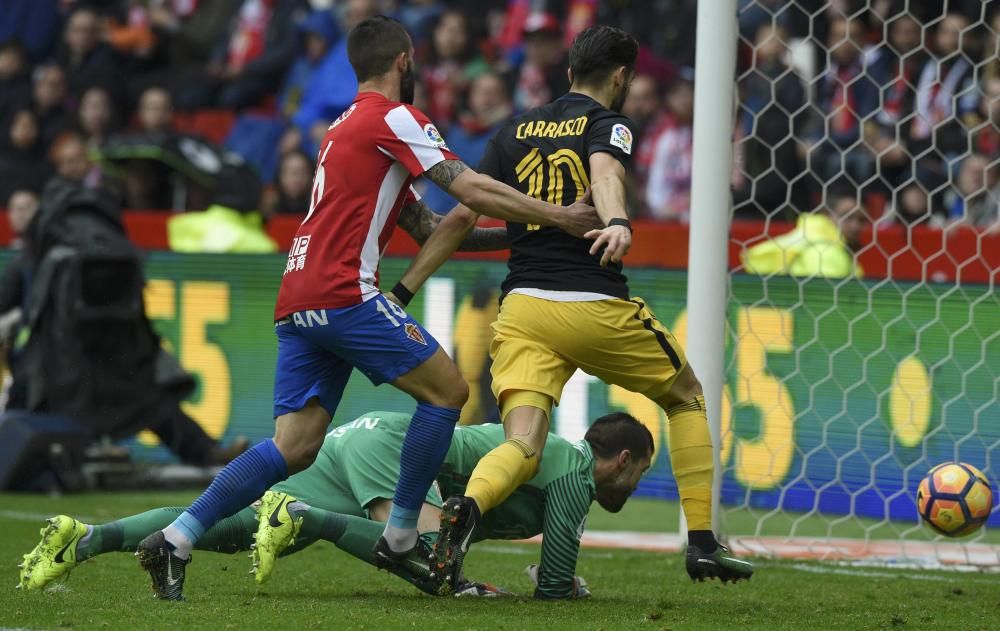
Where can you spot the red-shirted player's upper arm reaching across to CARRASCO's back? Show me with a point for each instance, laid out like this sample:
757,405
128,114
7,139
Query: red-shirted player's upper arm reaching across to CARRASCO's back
495,199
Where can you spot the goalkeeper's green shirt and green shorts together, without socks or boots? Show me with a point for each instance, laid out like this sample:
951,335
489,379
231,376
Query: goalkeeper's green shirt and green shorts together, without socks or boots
554,503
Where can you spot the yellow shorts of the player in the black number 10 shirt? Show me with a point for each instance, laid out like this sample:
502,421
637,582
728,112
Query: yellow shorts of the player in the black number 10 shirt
538,344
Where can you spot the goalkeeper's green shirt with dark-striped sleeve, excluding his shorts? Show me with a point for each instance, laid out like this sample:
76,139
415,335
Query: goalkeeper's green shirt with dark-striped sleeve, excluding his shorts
555,502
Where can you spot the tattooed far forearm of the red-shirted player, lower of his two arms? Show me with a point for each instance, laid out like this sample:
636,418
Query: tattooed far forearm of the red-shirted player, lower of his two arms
420,222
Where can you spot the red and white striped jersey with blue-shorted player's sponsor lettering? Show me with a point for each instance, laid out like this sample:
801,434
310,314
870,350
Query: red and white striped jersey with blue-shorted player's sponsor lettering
368,159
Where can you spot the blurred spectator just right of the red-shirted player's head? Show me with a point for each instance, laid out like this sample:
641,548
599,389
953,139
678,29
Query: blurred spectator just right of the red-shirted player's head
449,66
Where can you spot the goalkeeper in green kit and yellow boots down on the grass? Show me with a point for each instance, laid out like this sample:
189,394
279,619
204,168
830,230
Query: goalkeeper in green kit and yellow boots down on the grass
342,497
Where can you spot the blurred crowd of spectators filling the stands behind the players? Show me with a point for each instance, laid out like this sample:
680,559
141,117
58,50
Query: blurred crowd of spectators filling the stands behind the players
896,101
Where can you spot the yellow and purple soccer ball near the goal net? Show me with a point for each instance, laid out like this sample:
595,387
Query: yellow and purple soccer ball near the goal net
954,499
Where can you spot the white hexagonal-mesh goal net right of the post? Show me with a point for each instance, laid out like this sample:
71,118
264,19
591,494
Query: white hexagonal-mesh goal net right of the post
857,362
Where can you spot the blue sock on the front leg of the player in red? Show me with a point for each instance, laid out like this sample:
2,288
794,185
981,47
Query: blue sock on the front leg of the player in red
424,448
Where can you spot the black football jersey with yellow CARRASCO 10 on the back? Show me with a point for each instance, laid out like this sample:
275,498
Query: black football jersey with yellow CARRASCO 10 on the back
545,153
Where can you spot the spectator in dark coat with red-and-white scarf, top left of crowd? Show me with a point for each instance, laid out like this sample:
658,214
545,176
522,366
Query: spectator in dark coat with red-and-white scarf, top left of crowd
259,46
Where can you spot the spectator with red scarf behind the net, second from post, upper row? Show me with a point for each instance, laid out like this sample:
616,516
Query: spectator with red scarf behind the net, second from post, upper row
846,96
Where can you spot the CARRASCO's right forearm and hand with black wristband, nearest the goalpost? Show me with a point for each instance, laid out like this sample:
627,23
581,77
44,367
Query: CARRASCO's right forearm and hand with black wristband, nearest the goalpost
609,198
